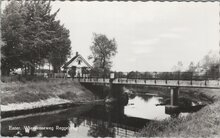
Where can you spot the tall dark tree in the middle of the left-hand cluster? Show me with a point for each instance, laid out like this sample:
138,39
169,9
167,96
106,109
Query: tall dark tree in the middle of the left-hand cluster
38,32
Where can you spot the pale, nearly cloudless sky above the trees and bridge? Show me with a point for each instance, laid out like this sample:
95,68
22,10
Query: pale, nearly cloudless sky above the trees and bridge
151,36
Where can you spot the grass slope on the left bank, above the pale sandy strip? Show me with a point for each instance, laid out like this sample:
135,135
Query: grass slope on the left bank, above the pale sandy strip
31,91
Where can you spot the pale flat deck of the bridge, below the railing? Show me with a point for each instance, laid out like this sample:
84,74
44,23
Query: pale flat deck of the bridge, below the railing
215,84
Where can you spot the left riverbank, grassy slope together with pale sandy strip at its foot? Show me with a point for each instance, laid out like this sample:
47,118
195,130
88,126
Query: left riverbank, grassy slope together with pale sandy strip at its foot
38,94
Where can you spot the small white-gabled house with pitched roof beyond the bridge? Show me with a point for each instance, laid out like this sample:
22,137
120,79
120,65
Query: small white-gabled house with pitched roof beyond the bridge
77,66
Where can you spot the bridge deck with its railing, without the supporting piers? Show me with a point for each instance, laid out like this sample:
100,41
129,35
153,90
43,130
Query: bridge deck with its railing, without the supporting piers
168,79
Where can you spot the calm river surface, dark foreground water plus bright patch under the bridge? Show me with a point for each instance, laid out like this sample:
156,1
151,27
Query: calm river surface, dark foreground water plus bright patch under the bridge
89,120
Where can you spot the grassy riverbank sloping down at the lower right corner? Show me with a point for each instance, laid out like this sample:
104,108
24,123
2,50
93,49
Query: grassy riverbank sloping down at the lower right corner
204,123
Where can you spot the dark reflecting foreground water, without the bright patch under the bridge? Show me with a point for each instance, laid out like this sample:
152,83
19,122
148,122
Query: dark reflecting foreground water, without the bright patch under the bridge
81,121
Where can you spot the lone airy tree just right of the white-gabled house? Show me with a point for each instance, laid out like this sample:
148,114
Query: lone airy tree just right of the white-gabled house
103,49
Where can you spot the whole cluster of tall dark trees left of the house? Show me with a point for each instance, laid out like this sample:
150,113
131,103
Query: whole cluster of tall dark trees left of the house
33,34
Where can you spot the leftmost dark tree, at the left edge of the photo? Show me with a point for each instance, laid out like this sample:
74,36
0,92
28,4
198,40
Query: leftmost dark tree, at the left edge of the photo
12,31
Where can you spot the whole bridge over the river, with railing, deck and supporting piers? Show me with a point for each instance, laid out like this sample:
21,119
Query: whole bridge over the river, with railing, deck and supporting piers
173,80
